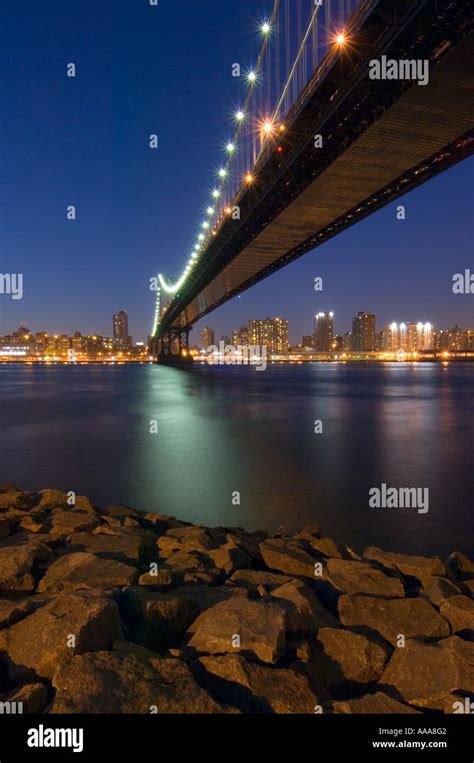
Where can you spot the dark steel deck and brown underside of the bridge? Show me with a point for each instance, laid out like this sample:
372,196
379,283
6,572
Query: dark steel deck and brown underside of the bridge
381,139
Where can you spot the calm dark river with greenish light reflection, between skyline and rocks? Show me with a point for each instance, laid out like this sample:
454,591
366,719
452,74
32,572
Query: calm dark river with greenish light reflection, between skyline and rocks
86,428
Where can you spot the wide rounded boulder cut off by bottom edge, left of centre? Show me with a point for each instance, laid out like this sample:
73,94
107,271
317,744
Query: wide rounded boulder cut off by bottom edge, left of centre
110,682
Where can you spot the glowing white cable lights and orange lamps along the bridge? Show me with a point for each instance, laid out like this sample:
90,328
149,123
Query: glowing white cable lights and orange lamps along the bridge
268,128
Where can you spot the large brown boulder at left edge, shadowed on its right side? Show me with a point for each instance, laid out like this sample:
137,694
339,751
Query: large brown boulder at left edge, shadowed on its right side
40,641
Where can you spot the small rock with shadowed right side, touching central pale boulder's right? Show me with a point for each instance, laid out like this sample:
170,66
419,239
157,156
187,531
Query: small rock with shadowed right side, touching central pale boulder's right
305,613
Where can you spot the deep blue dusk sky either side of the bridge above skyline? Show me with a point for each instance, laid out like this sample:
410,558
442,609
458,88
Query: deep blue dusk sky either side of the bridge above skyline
84,141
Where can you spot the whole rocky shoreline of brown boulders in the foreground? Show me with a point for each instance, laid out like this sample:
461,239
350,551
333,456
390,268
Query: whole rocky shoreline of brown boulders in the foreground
115,611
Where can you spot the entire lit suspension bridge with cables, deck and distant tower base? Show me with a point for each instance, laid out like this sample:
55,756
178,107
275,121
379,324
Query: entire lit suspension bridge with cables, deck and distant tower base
336,122
